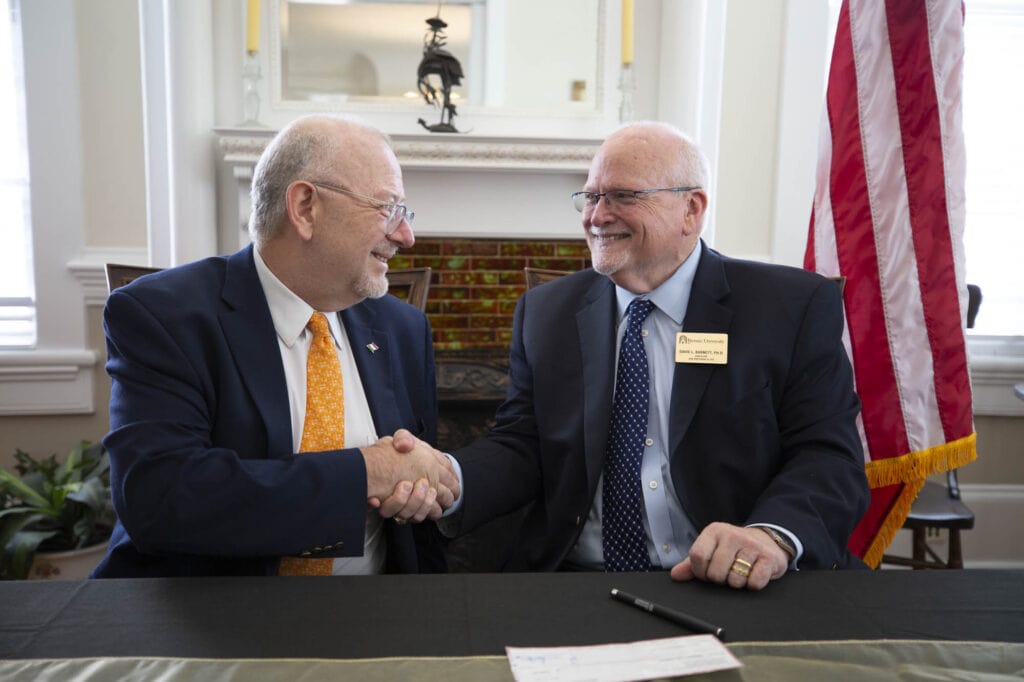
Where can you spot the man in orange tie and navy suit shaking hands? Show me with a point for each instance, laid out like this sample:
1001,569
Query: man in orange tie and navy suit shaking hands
267,407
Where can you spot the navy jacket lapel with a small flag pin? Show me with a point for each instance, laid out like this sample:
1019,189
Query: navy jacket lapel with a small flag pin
372,350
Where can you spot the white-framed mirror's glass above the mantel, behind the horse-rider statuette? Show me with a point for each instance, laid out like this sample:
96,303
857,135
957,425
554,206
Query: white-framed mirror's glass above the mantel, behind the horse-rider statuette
533,69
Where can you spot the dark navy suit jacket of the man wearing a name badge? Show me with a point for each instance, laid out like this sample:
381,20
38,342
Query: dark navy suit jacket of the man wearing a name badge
769,438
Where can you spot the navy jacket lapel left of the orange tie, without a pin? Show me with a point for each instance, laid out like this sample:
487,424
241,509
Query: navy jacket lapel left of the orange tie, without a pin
250,334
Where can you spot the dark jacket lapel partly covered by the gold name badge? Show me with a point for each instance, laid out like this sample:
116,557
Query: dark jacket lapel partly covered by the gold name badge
705,313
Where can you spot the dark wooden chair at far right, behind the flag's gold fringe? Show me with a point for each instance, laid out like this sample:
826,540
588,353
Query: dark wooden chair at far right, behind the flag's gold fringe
940,506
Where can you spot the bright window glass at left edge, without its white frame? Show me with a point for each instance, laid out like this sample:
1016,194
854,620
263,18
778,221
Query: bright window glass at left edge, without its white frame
18,324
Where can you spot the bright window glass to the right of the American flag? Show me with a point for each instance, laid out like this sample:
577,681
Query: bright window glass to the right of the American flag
994,98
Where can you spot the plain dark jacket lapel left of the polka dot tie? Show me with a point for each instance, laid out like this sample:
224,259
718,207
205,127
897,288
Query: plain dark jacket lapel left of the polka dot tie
596,326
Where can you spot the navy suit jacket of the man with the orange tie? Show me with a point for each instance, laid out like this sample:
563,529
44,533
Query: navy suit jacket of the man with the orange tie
202,471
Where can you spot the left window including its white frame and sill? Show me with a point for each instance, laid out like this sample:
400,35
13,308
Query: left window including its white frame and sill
46,366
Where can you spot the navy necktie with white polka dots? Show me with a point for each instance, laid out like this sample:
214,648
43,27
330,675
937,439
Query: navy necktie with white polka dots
622,528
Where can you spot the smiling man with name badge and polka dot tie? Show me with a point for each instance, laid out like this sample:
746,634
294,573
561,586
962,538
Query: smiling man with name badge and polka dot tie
672,408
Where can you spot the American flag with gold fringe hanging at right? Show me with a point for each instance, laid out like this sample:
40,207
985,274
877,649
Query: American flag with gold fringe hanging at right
888,217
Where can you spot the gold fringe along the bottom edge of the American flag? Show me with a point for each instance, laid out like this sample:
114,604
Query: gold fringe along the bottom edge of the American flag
912,471
